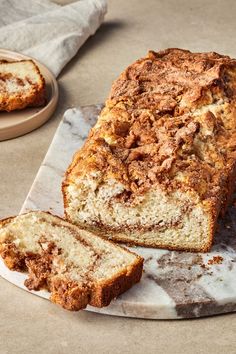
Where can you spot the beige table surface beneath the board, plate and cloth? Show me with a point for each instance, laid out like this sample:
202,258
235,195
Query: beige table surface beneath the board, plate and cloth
29,324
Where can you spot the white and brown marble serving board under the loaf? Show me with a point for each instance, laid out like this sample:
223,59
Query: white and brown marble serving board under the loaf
174,285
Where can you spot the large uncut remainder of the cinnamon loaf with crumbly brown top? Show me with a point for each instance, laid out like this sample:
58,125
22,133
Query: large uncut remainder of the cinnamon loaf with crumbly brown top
159,165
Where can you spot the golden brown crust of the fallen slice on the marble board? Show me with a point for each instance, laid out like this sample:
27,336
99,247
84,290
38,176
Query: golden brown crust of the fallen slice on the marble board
69,294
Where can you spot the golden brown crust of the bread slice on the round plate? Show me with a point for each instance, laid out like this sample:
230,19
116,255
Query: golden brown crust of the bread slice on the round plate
35,98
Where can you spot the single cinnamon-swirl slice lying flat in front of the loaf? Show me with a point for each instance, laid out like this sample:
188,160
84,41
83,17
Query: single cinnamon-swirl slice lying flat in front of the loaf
76,266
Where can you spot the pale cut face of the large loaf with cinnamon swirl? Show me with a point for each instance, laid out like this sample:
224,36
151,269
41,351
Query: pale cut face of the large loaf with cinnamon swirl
176,216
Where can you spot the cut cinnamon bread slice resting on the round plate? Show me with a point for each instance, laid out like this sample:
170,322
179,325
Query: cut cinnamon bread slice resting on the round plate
21,85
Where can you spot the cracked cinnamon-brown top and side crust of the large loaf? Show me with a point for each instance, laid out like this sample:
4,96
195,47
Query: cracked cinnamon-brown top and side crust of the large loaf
169,124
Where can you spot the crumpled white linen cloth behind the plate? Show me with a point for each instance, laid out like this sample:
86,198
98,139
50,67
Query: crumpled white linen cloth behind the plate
49,32
